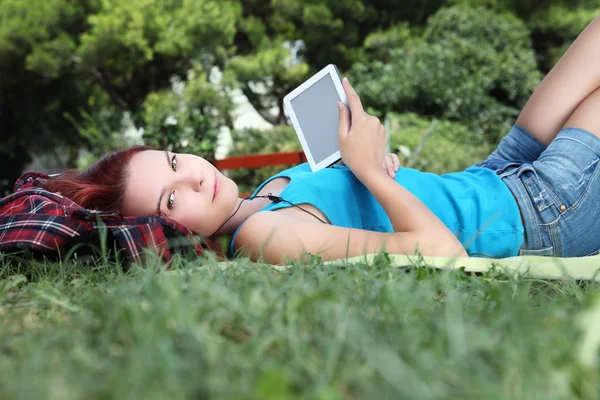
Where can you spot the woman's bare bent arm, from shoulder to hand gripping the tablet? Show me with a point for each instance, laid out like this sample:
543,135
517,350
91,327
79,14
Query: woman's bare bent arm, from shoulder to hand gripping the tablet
277,238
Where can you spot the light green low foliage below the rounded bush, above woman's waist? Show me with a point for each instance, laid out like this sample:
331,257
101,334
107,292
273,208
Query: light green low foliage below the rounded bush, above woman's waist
437,146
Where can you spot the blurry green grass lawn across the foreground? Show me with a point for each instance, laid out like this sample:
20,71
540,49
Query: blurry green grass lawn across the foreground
324,332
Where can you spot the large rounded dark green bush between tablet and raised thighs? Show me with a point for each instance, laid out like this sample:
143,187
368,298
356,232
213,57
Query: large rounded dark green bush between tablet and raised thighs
470,65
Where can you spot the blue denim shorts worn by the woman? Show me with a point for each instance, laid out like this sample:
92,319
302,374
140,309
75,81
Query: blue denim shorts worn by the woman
556,188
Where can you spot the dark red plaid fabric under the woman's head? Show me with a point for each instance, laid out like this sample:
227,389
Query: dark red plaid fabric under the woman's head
36,220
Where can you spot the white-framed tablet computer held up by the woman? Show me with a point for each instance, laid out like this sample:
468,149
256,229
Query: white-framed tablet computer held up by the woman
312,108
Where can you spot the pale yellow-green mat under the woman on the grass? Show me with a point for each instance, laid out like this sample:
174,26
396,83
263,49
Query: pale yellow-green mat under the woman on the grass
587,268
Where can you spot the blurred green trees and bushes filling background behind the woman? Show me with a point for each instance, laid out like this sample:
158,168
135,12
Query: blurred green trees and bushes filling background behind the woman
78,78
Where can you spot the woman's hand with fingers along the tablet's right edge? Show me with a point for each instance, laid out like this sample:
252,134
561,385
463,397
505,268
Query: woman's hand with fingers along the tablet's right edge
362,141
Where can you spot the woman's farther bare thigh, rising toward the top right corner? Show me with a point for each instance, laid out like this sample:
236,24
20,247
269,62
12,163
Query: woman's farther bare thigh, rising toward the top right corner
566,86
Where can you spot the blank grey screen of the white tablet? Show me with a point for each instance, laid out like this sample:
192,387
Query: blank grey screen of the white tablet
318,116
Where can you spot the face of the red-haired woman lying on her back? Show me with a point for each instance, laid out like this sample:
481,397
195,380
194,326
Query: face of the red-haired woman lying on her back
181,187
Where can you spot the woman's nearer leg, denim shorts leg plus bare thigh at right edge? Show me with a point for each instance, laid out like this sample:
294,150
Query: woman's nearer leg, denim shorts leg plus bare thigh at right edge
558,194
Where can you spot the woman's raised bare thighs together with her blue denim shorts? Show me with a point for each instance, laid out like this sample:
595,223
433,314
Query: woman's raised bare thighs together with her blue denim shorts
556,182
